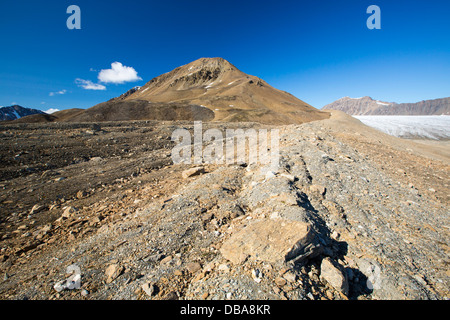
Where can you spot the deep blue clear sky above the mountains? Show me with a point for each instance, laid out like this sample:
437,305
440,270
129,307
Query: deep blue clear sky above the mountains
317,50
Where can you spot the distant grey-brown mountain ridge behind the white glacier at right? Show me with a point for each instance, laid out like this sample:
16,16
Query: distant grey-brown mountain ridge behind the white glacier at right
369,106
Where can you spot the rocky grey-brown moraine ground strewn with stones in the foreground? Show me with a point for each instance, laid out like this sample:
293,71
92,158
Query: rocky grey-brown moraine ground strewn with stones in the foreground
351,213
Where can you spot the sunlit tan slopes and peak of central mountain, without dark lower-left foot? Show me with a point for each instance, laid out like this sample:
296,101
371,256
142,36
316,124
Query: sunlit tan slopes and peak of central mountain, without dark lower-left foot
228,93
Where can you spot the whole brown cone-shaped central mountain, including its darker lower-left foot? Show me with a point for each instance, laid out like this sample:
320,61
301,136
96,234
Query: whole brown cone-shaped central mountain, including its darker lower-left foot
205,89
